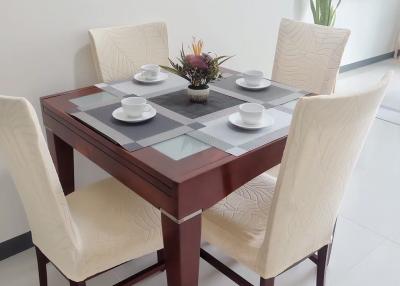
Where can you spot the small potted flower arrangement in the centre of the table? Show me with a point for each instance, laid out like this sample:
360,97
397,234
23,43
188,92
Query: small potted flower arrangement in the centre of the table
199,69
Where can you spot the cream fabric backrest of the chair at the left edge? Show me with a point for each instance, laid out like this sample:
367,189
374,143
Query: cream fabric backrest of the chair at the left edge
30,164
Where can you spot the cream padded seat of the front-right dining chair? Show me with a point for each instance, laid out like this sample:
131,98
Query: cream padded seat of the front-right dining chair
237,224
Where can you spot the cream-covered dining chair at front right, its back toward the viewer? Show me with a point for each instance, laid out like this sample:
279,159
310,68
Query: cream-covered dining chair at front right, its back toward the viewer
272,224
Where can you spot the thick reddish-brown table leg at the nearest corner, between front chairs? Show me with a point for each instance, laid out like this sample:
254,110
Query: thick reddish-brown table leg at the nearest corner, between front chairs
182,249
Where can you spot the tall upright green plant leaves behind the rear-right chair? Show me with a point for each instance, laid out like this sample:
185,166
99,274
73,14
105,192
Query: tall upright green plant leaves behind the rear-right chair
324,11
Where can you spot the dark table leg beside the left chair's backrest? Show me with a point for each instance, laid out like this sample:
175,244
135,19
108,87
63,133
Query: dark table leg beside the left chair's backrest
63,159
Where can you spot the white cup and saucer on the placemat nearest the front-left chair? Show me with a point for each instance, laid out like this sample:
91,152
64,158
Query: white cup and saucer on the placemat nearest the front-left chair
134,109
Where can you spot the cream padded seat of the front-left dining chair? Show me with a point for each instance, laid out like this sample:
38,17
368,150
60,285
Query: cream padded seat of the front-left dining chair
115,226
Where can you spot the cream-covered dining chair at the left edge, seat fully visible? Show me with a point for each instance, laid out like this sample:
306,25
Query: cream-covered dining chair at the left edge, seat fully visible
91,230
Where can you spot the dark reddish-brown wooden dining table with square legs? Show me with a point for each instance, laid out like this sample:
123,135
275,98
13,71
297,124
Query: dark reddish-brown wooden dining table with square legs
182,189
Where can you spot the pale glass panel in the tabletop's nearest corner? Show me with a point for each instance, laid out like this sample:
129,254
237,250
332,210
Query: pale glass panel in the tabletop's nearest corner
180,147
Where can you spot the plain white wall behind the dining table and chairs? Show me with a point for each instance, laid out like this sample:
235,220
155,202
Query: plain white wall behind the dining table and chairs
44,48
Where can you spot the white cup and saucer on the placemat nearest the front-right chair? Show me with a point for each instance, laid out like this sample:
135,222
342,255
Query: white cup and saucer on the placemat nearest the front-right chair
251,116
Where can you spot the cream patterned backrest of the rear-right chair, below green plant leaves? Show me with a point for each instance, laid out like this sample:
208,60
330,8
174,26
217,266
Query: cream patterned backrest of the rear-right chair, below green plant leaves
308,56
